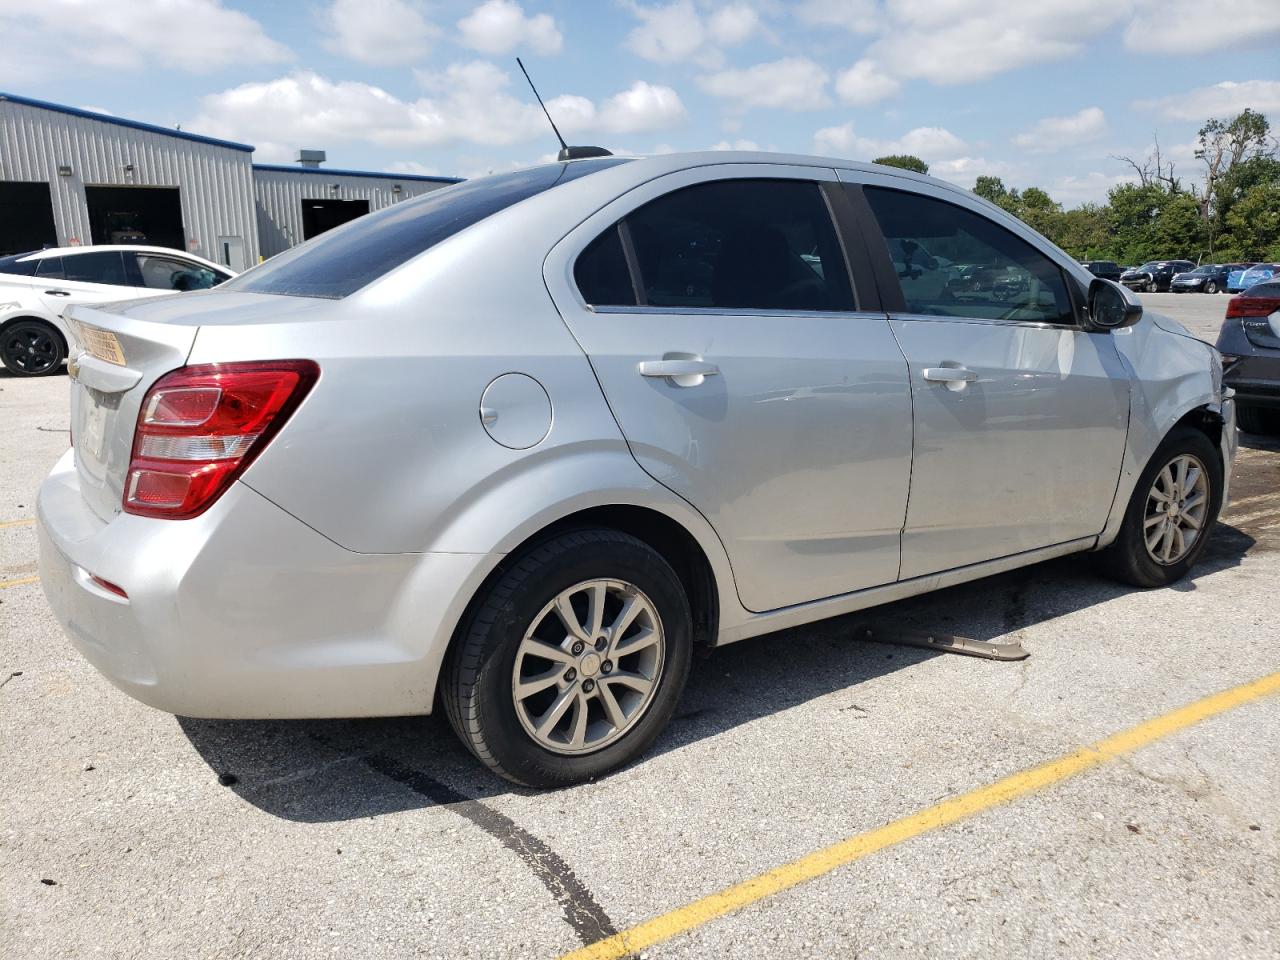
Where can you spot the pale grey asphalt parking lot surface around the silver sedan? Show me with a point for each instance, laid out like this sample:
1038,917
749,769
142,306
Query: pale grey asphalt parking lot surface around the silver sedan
129,833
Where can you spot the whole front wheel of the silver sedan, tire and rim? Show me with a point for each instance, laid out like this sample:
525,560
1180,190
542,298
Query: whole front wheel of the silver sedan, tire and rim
1171,514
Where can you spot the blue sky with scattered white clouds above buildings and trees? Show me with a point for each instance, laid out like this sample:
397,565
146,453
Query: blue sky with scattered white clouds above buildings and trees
1040,93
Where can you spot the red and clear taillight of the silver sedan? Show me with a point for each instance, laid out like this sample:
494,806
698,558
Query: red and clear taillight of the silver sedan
200,427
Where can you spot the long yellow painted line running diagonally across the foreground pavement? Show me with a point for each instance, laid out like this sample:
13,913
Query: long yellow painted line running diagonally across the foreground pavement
847,852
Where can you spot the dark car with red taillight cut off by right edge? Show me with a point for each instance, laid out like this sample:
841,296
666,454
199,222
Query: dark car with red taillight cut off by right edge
1250,344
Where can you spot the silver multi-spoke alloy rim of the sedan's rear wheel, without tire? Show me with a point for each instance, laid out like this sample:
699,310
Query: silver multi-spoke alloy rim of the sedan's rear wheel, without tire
588,666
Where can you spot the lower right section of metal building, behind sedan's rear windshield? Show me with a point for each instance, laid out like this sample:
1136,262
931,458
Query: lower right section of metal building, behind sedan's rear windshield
298,203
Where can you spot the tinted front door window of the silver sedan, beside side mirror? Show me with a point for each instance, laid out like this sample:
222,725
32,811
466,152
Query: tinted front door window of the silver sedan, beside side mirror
953,262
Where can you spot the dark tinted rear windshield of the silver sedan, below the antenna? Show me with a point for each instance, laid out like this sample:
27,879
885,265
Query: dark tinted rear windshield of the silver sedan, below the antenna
344,260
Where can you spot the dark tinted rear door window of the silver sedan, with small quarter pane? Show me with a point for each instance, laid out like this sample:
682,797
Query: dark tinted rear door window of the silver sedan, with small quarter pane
730,245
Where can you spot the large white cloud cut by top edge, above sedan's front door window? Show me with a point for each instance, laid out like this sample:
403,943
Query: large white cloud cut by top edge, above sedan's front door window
962,42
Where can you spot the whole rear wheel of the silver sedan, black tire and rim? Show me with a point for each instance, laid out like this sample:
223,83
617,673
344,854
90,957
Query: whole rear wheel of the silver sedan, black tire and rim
574,662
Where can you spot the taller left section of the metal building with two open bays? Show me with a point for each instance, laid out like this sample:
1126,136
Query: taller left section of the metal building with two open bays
71,176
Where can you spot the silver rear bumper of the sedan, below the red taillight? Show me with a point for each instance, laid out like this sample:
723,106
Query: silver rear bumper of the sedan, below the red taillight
245,612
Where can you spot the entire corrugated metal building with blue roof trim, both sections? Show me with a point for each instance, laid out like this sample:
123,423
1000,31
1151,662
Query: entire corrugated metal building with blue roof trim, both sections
71,177
